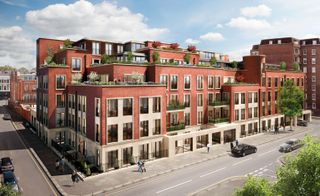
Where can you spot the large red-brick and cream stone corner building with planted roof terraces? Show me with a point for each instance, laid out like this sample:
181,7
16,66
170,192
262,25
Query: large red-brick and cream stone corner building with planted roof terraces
140,110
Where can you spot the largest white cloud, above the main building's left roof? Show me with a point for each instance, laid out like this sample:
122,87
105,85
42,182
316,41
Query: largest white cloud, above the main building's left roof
104,20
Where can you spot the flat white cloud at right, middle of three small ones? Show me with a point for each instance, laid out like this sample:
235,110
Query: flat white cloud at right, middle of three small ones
251,24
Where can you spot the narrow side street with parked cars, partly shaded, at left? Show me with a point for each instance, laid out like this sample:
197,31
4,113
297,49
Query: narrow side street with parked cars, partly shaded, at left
31,179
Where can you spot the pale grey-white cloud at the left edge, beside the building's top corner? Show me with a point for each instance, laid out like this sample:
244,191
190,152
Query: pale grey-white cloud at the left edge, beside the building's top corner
16,48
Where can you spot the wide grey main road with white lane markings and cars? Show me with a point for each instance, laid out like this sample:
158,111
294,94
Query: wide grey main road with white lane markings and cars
190,179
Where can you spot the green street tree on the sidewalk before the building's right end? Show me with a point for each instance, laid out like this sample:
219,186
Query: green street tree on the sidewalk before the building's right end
291,100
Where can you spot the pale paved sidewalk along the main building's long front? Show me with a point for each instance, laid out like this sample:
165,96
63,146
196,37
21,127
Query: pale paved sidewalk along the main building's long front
119,178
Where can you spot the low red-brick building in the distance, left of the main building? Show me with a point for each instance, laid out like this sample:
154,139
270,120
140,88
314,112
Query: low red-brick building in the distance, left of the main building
23,88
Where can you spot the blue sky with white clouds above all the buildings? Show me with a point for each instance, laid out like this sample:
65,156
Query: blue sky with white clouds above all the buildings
225,26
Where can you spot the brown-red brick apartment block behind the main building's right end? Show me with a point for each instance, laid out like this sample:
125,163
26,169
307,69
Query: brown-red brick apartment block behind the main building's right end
304,52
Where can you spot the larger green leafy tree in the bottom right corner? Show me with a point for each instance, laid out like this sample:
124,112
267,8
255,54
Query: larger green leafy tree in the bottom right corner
301,174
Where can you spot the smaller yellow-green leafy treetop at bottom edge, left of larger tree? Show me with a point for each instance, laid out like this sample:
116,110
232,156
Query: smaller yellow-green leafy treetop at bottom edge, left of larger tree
255,187
